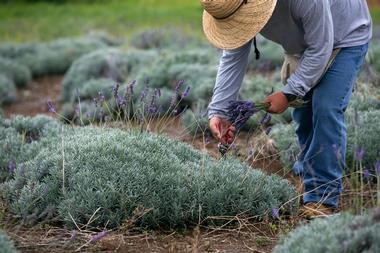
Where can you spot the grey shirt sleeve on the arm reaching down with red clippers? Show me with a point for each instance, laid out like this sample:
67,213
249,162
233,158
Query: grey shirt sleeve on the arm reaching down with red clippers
232,68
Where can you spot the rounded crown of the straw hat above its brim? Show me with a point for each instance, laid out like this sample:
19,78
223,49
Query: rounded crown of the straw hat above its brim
221,8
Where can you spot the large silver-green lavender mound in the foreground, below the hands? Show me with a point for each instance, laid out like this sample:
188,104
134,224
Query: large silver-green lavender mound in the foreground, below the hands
119,172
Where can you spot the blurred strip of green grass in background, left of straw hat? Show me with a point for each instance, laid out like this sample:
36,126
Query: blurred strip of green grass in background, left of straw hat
45,21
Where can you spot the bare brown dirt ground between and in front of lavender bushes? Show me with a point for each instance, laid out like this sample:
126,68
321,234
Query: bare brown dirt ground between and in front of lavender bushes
237,236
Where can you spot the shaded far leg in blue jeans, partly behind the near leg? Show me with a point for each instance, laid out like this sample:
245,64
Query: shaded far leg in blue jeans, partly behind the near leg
304,120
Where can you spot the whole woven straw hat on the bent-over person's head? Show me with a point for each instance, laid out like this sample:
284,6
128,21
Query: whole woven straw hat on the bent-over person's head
229,24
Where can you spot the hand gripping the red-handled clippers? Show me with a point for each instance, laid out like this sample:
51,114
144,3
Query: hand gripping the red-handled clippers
222,130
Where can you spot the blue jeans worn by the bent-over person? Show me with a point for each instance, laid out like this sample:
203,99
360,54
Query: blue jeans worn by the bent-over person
321,128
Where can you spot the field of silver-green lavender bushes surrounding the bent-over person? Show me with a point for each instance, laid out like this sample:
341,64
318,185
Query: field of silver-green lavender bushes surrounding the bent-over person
104,164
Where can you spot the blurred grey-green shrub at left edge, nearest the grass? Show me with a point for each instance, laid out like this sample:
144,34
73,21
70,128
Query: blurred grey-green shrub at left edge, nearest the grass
16,72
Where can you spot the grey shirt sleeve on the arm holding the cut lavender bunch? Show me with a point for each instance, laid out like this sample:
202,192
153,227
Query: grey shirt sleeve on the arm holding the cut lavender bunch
316,20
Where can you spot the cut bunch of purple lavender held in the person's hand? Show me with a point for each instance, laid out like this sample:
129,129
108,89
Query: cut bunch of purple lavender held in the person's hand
239,113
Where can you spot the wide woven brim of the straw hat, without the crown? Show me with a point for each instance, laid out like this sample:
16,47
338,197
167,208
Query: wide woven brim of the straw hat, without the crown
236,30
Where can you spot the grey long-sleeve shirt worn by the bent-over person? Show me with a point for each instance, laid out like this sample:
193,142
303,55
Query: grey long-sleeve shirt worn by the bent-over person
309,28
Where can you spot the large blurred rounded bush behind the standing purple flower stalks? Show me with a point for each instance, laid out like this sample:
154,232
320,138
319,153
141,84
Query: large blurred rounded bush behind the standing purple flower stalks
112,64
